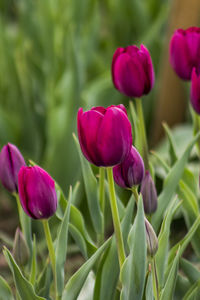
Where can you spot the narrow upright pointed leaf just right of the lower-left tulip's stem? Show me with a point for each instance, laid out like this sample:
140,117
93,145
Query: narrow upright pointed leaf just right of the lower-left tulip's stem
61,246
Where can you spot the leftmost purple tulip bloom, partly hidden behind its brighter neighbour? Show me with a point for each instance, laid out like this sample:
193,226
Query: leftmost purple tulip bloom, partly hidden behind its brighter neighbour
11,160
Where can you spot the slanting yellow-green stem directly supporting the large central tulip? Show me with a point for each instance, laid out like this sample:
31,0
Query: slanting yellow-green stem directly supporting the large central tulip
115,217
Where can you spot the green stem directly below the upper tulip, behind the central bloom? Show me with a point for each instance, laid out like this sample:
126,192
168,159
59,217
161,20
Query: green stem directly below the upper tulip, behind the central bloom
142,132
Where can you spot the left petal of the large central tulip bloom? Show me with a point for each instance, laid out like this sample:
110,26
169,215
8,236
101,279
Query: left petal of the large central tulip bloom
88,127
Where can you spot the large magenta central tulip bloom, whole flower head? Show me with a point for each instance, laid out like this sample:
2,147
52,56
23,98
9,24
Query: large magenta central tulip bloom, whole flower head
104,135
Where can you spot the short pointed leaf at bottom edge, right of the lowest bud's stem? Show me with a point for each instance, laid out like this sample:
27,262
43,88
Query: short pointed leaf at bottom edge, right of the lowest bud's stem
168,290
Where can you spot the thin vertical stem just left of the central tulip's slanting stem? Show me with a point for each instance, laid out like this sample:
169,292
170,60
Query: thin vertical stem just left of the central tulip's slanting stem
102,200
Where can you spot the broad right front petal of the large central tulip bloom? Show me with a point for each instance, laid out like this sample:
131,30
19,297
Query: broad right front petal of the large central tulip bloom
114,137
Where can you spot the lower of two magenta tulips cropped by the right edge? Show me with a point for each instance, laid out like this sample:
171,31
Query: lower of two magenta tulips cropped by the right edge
195,90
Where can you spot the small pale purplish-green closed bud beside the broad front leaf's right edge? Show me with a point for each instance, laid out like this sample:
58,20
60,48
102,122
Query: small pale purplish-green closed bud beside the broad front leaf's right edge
151,238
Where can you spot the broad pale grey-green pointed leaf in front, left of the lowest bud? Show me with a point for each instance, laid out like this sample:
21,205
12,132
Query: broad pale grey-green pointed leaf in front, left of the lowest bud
134,268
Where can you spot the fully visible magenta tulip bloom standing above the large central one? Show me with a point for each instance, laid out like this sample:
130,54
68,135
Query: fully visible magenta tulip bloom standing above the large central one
132,71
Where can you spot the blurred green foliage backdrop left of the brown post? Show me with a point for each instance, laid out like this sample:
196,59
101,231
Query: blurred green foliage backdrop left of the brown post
54,57
